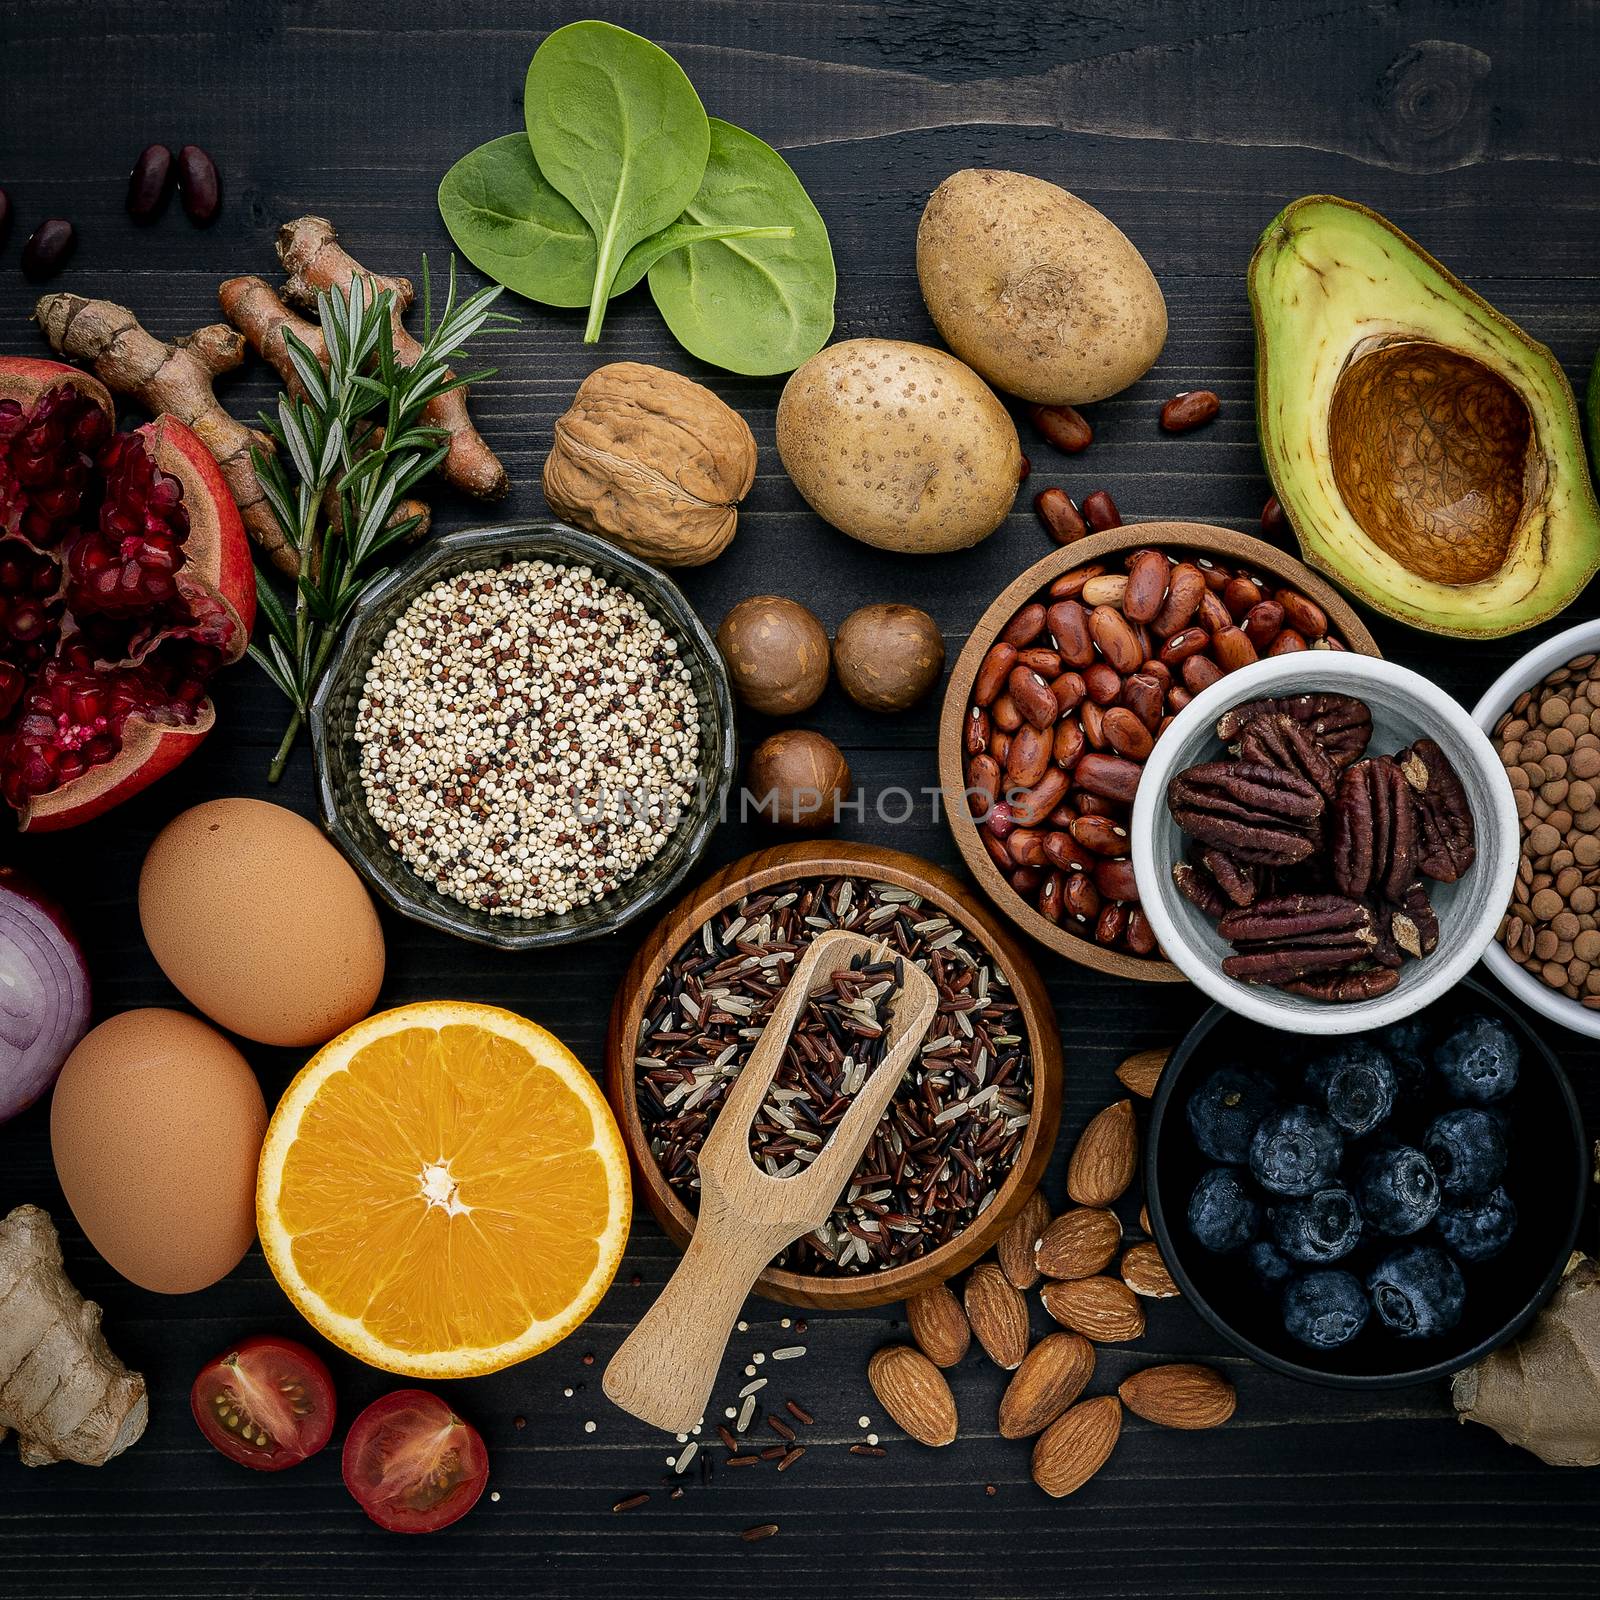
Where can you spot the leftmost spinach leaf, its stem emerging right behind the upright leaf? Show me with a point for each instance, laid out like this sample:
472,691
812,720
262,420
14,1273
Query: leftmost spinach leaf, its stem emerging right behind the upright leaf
514,228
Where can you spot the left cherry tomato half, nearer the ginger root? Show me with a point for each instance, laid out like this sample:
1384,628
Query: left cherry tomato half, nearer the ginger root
265,1402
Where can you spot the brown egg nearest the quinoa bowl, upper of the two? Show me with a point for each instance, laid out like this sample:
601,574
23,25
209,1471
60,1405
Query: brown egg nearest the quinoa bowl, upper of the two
262,924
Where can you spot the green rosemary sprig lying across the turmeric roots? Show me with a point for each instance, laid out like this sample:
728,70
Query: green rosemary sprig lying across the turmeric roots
350,449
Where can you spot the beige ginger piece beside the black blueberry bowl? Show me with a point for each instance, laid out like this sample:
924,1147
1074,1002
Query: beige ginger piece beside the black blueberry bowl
1543,1391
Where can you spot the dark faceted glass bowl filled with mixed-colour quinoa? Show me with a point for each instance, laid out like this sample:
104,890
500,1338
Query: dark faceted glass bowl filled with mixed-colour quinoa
526,737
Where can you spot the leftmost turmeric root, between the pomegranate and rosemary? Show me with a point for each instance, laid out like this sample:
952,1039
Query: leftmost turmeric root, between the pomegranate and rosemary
172,378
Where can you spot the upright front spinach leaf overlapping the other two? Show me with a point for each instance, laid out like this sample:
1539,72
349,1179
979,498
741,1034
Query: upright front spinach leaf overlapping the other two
617,129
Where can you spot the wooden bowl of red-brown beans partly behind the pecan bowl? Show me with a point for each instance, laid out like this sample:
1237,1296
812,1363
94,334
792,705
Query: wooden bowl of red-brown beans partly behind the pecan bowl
1065,687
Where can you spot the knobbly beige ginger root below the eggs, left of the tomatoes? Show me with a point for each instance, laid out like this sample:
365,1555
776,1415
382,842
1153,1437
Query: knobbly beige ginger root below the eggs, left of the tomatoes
62,1390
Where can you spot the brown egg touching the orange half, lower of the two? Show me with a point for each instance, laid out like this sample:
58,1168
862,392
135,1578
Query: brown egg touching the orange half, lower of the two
156,1127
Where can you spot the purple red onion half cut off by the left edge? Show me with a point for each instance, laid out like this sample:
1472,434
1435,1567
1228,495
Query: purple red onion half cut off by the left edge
44,993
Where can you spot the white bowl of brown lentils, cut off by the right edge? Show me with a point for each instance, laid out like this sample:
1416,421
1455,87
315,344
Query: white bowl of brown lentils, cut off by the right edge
1543,718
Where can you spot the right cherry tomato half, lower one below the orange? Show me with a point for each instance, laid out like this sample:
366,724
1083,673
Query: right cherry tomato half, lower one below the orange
414,1465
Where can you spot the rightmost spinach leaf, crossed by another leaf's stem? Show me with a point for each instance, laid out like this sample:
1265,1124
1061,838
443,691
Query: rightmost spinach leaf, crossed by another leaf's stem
750,305
